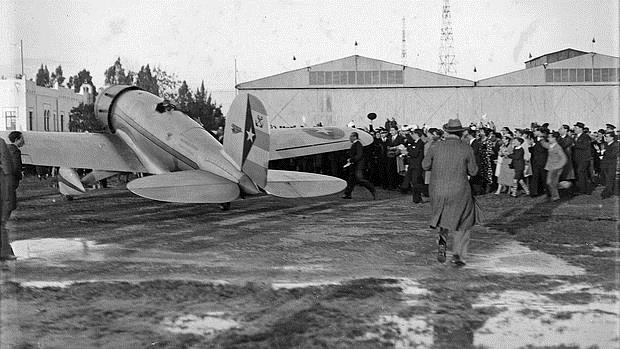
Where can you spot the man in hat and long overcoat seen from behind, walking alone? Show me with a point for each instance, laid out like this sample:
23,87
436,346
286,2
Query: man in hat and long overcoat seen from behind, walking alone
453,207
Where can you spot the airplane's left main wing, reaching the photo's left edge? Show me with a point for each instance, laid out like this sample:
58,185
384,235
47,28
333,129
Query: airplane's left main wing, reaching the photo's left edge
95,151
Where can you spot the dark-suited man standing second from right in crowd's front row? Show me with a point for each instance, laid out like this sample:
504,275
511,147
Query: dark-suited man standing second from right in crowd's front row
582,158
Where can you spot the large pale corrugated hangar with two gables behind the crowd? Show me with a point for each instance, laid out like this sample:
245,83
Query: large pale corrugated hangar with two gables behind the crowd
559,87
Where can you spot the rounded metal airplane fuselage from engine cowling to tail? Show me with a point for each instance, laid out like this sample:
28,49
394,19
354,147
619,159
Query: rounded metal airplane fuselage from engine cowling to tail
164,140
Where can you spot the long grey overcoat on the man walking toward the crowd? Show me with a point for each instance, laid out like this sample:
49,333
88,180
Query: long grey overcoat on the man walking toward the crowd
450,162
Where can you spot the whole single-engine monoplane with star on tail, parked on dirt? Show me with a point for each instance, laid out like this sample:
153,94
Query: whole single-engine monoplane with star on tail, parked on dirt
187,164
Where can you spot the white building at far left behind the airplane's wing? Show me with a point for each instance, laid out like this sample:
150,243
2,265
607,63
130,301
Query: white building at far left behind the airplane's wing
24,106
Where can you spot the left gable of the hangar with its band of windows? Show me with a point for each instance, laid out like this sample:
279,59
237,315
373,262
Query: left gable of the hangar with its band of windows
355,72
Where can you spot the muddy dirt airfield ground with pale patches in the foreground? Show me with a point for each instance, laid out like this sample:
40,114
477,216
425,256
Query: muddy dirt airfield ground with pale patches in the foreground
113,270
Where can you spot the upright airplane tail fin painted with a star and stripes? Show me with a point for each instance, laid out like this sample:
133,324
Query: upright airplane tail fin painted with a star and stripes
246,138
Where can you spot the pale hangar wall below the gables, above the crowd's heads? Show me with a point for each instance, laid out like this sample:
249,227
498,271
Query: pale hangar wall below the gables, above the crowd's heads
513,106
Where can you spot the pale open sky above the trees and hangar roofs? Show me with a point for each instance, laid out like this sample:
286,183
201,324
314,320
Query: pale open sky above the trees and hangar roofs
201,40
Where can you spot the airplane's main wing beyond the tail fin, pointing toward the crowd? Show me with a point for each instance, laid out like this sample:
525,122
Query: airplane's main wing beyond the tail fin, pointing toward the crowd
292,142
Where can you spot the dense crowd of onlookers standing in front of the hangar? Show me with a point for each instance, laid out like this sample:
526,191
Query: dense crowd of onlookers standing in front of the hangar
533,161
